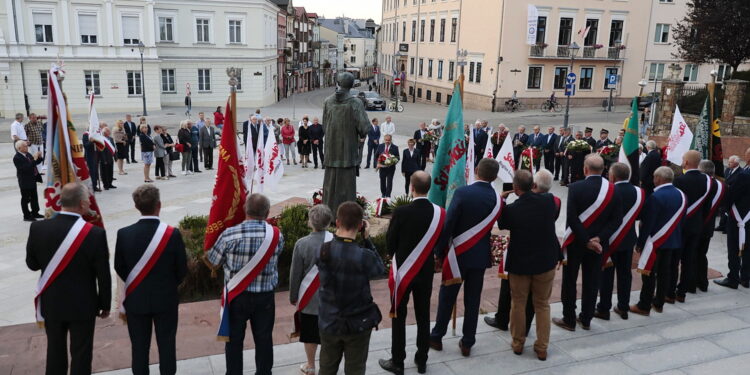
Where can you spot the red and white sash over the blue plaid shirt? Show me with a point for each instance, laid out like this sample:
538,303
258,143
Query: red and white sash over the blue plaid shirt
242,279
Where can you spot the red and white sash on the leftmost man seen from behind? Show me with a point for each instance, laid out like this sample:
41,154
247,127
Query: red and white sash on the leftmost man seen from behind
62,257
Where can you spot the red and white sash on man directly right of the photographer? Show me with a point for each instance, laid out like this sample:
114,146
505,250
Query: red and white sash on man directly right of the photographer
399,278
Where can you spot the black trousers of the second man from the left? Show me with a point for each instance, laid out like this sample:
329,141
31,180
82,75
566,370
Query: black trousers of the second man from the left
139,329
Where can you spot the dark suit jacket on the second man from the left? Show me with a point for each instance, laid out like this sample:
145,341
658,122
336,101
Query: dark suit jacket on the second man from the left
158,290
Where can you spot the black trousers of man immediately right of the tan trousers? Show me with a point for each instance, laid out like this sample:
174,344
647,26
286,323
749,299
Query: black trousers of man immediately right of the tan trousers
590,265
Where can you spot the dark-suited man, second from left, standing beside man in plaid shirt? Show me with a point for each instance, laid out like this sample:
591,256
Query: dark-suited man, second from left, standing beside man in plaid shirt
154,301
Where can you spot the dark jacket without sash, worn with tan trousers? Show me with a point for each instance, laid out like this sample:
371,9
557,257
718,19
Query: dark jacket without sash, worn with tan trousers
531,252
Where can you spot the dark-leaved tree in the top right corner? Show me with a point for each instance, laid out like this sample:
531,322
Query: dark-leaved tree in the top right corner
714,30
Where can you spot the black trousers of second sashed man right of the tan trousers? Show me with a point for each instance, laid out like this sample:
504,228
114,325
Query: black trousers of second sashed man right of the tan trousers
622,262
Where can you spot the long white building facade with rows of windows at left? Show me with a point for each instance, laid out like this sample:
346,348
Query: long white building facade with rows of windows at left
187,46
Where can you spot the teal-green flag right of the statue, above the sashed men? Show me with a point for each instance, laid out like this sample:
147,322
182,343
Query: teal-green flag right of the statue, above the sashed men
448,172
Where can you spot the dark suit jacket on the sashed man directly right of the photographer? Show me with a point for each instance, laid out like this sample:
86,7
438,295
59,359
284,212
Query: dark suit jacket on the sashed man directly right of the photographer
407,227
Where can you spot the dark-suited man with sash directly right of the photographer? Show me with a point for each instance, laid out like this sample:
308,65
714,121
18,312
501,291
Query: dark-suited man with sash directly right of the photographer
407,228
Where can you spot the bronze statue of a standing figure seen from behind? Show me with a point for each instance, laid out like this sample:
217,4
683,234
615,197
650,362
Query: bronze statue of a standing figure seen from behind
345,122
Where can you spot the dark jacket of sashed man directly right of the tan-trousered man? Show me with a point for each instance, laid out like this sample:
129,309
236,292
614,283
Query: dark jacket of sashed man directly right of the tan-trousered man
581,195
